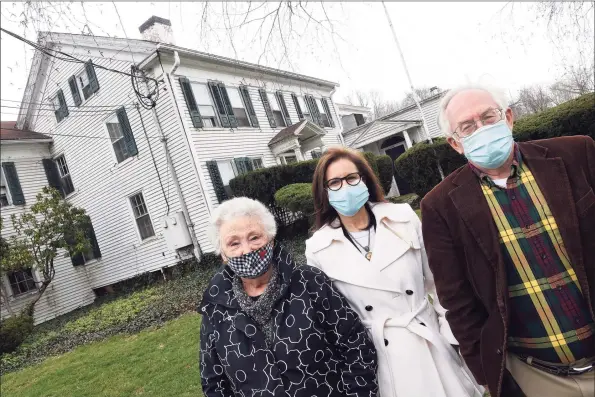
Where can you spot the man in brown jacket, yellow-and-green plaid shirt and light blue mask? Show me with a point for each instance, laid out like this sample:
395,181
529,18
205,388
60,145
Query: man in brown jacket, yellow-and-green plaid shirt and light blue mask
510,239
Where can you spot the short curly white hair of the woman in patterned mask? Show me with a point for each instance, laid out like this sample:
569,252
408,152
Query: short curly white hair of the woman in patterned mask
239,207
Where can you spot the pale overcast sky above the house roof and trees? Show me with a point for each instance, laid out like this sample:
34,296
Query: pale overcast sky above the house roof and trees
445,44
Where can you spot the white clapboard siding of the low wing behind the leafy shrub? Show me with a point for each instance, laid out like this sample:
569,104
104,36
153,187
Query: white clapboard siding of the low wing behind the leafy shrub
70,288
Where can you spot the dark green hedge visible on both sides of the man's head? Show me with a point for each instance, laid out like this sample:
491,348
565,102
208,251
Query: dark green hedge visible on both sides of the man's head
418,165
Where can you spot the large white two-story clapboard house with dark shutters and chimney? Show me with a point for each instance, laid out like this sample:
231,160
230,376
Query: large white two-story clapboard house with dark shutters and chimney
149,180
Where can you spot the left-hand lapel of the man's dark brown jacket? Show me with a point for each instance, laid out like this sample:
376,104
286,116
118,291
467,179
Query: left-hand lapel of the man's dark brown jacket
475,212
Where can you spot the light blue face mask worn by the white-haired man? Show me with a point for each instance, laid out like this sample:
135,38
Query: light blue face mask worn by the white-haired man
490,146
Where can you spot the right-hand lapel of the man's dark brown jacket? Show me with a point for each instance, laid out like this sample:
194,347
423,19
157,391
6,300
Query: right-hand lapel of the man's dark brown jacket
552,179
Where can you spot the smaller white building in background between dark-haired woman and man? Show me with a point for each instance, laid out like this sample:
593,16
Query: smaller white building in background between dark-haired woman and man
397,132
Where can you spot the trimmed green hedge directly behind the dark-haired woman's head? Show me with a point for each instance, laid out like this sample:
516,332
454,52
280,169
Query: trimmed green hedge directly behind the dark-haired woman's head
262,184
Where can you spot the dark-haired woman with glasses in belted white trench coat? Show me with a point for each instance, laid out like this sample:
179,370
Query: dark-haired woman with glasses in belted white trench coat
373,252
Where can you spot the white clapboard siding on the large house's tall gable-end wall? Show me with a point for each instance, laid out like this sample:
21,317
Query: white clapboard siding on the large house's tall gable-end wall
102,186
